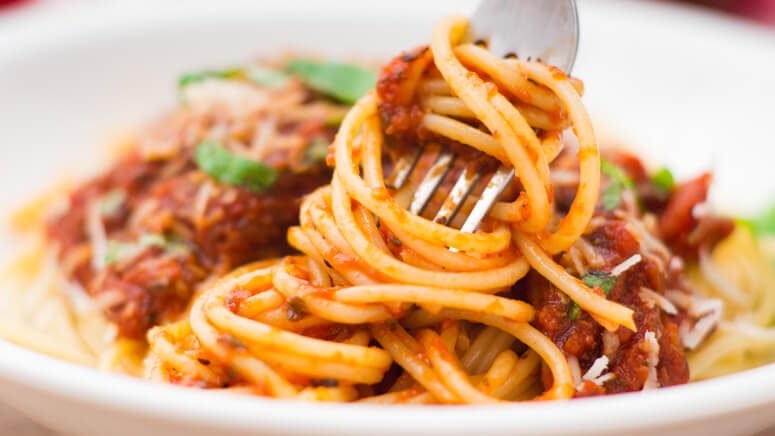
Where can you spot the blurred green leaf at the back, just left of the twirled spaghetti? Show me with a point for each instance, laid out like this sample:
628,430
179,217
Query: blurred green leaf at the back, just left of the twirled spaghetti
343,82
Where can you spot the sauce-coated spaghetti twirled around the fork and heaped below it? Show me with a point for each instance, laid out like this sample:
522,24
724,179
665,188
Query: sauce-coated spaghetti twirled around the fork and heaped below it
379,286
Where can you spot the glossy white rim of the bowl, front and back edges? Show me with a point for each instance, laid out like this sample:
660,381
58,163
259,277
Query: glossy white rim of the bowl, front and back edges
698,400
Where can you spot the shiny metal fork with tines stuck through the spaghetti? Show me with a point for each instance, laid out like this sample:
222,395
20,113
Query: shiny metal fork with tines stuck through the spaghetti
545,30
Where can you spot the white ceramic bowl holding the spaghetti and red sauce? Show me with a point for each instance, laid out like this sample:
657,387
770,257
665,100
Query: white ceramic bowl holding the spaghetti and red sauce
691,90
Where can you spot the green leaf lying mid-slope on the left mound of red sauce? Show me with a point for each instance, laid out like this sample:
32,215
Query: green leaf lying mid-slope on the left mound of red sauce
226,167
